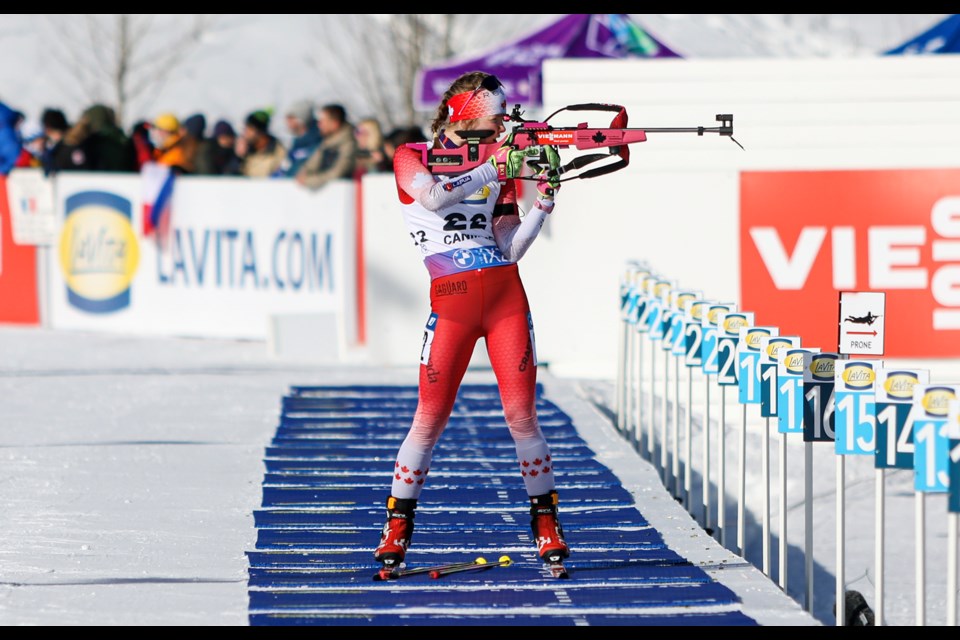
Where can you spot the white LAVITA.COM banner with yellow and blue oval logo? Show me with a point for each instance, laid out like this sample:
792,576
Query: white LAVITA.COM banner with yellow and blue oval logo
237,252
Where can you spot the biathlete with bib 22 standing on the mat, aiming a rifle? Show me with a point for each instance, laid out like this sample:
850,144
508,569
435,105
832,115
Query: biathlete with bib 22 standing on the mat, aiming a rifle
468,230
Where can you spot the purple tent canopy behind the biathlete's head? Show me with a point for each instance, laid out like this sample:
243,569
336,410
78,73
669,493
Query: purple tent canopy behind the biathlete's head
518,64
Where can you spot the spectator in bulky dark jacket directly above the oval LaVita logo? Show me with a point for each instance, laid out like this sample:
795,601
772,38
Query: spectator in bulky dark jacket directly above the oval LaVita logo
96,143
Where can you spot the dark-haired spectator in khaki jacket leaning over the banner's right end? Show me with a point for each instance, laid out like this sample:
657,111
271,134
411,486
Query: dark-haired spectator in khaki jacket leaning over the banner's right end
335,158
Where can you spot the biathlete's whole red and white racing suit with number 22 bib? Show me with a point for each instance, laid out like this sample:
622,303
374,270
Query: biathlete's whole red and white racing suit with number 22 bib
469,232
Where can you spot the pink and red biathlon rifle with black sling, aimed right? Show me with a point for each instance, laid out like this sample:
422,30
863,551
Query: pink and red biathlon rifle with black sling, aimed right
531,137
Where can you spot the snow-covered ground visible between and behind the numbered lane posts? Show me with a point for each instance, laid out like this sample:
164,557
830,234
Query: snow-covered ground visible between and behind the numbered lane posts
860,571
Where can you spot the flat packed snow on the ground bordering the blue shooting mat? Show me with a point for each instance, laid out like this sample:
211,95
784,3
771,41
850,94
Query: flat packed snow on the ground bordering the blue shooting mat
130,469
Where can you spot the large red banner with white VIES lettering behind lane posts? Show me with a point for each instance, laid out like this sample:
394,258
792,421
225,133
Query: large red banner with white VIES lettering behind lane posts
807,235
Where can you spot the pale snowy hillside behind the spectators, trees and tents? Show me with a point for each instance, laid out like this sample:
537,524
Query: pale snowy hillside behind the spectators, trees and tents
245,62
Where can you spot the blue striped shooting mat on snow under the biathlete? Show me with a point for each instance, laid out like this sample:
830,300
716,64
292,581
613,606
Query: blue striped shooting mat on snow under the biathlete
328,471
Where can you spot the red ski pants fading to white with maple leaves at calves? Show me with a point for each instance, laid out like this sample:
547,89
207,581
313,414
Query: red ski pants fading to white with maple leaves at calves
489,303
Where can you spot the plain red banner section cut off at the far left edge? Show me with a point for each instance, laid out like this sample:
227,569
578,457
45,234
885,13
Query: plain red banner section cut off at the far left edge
18,272
